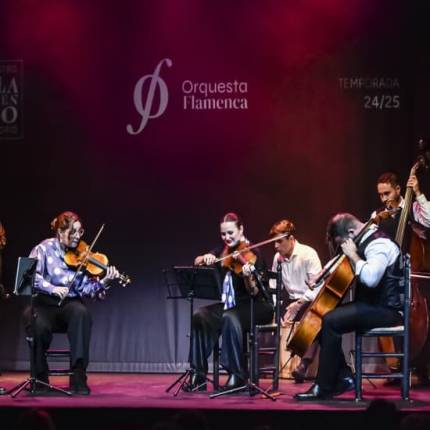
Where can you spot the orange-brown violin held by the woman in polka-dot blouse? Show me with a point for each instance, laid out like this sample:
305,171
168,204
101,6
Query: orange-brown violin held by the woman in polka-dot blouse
95,263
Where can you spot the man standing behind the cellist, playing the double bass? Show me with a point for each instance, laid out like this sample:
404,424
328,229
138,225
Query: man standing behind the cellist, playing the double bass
389,192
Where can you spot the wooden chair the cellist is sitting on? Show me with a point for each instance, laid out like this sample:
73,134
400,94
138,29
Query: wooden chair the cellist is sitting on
396,331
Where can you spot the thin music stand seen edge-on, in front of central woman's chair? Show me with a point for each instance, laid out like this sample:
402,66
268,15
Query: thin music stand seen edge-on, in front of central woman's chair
251,386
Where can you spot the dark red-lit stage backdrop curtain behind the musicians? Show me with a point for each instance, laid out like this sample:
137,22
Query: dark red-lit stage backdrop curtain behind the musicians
306,147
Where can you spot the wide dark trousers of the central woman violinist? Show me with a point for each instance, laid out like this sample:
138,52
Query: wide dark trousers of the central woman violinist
209,322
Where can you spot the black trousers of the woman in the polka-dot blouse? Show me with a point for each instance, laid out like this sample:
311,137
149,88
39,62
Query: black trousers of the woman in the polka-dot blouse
72,317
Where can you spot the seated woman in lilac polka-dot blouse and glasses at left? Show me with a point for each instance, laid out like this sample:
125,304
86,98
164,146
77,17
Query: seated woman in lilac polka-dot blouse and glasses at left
52,284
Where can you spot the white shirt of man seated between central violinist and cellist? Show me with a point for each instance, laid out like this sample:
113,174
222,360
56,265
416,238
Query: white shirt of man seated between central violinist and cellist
297,271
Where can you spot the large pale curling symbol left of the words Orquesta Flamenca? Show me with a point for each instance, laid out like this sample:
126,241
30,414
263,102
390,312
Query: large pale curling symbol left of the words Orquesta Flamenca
146,109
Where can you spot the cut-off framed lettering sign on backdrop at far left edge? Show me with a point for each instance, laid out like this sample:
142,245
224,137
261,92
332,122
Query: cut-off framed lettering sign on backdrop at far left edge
11,123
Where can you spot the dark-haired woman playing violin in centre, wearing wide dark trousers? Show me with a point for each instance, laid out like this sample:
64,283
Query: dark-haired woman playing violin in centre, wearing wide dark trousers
231,318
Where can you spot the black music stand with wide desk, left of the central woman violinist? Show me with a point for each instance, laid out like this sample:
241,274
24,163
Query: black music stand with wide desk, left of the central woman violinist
192,282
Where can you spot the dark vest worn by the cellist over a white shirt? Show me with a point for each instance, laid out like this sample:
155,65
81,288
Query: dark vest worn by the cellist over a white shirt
389,291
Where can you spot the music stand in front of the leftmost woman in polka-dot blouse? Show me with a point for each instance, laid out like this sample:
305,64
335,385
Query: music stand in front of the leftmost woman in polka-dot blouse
24,286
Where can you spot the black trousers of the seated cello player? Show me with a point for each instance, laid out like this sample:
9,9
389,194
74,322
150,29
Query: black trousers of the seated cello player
344,319
